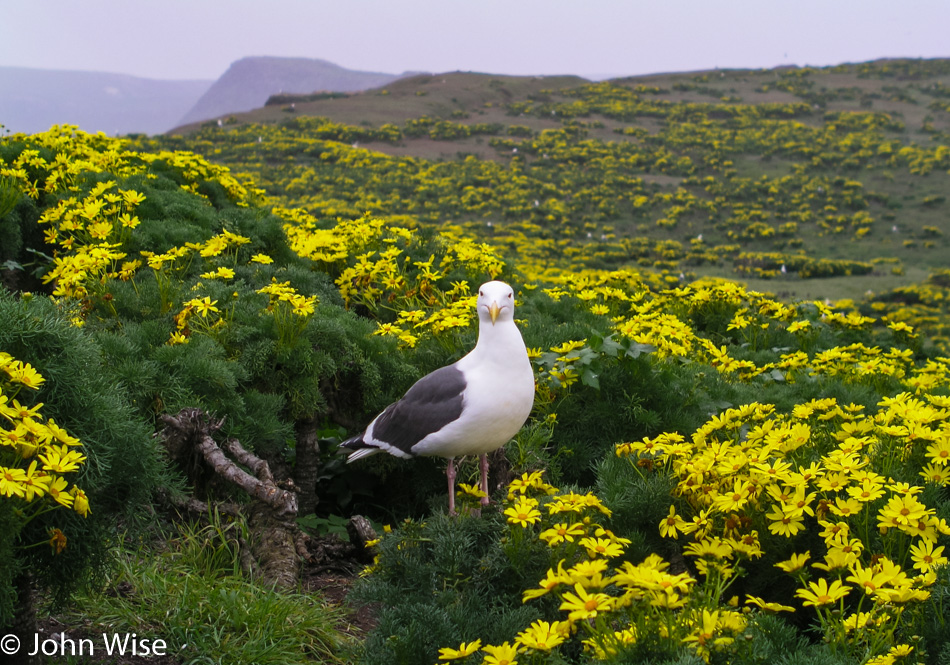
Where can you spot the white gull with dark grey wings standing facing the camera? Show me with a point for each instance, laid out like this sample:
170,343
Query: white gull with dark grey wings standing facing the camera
470,407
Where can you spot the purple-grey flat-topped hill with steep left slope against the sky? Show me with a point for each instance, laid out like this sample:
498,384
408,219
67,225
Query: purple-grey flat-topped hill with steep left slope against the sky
249,82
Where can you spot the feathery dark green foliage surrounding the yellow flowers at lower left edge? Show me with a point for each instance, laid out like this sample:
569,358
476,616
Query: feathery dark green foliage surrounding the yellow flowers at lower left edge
123,466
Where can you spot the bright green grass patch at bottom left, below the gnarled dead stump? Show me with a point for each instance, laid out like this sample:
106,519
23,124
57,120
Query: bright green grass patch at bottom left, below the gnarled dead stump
193,596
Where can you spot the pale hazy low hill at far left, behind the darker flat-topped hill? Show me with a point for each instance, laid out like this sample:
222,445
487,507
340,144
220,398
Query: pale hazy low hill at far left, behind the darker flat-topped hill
32,100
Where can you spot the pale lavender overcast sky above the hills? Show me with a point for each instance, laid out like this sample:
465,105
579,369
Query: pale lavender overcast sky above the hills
198,39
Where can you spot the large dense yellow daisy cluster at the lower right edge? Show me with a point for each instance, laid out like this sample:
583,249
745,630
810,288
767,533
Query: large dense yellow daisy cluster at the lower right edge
752,477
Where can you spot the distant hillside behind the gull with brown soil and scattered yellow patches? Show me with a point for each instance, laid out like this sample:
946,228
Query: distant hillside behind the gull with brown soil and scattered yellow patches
839,171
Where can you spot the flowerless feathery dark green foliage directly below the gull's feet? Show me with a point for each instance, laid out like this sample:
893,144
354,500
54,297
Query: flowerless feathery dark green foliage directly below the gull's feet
445,581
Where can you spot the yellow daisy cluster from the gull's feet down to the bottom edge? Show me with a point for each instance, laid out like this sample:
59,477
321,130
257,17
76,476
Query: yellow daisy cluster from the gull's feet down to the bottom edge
606,603
